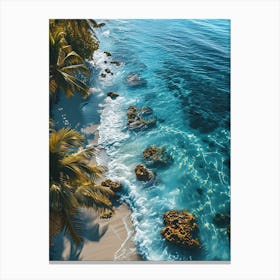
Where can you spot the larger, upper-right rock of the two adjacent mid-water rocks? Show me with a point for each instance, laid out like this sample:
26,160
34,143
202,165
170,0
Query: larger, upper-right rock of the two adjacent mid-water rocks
156,156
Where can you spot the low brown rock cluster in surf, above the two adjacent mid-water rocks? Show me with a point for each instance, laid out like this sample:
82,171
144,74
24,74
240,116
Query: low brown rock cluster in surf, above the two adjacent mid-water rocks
135,120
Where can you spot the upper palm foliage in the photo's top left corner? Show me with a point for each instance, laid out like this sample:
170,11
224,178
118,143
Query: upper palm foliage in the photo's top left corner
71,43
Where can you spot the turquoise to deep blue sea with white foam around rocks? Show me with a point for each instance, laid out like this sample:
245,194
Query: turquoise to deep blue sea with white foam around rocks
185,69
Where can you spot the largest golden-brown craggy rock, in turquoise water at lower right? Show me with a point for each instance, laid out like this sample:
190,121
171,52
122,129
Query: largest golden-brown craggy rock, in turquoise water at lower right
181,229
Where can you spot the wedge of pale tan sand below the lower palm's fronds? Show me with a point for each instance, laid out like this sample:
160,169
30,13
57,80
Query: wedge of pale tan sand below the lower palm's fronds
109,240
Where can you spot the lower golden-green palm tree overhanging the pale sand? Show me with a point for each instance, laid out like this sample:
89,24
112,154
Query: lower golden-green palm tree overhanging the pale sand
72,182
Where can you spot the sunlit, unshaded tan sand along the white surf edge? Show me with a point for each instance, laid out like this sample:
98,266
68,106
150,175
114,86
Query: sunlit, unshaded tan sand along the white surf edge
116,242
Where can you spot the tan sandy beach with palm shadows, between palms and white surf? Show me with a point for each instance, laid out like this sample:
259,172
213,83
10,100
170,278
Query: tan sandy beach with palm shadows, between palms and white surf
104,239
